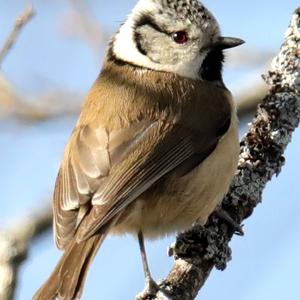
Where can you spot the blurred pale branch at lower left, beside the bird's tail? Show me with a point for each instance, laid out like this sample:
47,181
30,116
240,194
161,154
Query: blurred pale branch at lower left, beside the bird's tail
14,243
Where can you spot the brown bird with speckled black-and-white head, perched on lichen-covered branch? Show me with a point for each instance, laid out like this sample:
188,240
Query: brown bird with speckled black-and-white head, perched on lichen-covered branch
156,144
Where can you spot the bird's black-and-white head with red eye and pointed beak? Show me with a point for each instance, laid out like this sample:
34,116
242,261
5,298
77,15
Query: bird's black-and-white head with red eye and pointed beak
178,36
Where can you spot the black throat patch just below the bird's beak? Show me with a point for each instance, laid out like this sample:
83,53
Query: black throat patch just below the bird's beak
211,69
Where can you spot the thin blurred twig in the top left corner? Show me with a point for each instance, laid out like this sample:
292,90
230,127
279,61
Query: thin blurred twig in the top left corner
20,22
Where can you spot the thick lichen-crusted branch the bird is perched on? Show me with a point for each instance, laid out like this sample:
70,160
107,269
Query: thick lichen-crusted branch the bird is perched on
200,249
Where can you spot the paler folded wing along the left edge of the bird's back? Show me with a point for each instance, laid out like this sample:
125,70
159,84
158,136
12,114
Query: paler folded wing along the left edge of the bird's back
89,157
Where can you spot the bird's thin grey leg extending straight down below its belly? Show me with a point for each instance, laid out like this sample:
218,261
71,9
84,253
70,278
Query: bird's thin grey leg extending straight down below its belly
151,287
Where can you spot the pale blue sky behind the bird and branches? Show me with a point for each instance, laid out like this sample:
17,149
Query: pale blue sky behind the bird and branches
265,262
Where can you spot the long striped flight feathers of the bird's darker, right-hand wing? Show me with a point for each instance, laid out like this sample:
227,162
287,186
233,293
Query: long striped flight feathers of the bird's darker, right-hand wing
127,185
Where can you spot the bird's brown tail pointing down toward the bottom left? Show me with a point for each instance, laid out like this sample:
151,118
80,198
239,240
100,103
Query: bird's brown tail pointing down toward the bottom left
67,280
